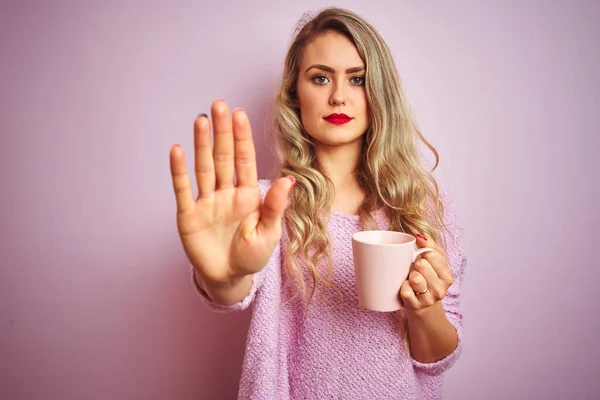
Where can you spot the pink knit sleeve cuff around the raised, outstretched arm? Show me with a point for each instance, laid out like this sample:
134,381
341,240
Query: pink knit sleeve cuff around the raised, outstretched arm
257,278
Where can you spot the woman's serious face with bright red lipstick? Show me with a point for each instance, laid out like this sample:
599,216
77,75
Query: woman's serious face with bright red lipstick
331,91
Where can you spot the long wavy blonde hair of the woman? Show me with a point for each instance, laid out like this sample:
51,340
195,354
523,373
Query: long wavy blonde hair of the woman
390,171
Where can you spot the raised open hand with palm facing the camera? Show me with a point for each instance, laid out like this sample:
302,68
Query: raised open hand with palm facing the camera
228,231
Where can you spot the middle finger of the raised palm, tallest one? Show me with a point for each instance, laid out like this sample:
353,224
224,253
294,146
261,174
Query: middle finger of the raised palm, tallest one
223,150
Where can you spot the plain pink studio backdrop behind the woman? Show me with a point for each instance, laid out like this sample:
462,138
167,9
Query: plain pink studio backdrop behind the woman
96,300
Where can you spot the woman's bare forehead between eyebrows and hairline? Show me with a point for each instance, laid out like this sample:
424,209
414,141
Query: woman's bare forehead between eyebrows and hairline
332,49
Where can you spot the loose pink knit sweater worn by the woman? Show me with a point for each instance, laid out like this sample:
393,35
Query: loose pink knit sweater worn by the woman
340,351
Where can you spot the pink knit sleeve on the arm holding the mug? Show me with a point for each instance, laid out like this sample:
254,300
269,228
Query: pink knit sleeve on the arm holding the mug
457,260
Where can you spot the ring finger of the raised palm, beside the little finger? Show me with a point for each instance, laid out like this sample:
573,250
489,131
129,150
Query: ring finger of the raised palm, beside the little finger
203,159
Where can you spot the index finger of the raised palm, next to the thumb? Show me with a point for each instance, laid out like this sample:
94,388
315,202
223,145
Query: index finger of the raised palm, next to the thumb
245,154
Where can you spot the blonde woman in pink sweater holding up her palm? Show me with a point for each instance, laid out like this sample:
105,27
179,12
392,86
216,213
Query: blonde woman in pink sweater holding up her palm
347,161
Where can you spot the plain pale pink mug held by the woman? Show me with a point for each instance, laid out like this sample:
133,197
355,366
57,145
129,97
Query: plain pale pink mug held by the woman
382,261
